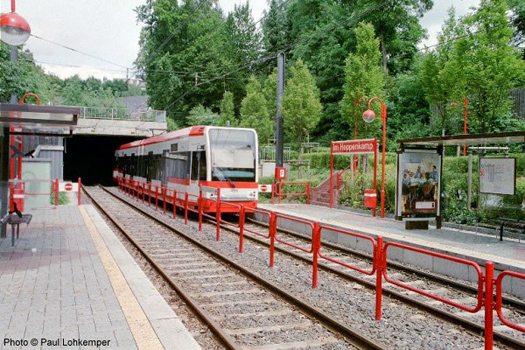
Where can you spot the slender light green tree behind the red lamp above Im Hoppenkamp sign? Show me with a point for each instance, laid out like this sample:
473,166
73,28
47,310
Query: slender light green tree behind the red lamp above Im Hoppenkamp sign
364,79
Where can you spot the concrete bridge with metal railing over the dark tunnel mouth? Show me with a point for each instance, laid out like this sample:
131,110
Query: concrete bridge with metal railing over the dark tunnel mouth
88,150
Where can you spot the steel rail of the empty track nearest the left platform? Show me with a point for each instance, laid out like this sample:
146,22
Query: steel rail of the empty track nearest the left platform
204,315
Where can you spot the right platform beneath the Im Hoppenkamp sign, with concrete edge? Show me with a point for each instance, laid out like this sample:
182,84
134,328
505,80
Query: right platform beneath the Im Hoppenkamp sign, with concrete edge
479,248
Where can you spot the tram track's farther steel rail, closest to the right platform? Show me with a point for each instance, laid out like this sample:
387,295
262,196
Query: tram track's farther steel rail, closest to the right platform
516,303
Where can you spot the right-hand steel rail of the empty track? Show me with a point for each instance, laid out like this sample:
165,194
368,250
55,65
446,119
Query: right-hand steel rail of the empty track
352,336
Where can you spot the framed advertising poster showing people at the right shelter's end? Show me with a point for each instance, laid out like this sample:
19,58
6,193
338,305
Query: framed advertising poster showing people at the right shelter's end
419,181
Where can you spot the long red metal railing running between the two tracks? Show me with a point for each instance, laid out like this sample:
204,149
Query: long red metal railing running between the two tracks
379,267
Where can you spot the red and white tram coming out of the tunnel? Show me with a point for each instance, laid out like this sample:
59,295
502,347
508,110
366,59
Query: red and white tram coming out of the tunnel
192,159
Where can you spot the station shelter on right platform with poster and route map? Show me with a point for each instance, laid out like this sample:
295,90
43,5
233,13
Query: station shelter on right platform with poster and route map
420,173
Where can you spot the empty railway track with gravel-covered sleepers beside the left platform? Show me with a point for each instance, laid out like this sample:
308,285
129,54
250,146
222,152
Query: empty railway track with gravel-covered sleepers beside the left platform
243,309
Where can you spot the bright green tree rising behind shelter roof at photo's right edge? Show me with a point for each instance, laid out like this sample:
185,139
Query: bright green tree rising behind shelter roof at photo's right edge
484,67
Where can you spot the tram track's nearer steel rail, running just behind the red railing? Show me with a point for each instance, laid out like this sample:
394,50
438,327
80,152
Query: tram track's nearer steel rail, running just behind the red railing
447,316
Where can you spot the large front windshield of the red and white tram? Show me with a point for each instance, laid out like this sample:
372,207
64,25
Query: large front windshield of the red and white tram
232,155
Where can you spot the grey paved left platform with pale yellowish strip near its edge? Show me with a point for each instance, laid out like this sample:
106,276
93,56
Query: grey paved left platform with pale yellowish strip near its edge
70,283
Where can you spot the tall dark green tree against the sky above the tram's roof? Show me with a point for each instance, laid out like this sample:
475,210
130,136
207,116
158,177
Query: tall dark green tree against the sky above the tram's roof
182,49
